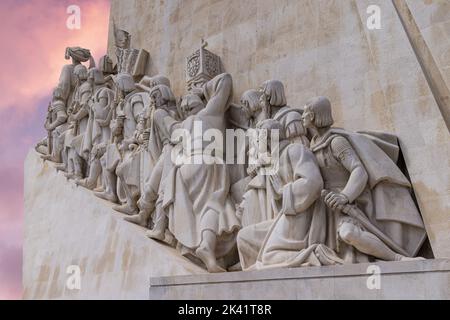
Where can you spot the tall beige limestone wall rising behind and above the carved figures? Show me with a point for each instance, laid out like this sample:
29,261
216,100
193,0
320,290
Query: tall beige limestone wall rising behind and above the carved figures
321,47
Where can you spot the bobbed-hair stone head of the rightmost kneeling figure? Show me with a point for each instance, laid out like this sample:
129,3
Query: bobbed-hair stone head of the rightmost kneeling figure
318,113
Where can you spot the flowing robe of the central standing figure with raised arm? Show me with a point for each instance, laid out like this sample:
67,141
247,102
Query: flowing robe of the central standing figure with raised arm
196,196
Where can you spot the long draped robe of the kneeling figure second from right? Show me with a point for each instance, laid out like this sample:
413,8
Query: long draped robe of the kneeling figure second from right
296,235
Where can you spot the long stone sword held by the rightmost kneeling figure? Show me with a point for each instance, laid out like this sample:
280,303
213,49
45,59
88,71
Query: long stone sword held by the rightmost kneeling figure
354,212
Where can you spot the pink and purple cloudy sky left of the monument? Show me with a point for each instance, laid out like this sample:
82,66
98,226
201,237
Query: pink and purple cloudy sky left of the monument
34,37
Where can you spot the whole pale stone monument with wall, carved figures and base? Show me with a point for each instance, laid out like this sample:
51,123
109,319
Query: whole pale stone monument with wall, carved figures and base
225,172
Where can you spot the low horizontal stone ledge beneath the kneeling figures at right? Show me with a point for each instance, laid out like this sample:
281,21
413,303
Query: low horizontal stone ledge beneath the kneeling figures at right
429,279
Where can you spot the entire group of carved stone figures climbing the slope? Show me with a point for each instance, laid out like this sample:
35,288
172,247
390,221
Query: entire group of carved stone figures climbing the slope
335,197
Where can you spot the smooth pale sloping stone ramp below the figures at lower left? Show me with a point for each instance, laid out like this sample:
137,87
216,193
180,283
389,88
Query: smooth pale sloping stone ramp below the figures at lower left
67,225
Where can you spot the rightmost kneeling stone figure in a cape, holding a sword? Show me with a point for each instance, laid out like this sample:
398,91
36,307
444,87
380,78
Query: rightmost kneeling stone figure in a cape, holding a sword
370,213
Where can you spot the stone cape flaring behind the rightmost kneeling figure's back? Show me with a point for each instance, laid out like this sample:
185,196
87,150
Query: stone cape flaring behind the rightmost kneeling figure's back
391,204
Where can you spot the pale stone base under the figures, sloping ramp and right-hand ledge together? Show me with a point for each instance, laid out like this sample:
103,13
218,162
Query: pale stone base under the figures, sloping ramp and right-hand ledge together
67,226
